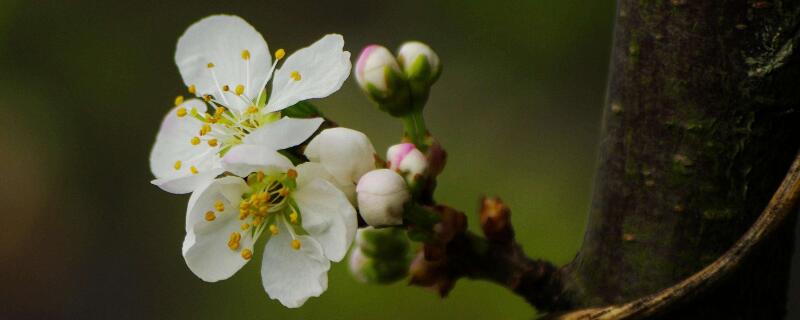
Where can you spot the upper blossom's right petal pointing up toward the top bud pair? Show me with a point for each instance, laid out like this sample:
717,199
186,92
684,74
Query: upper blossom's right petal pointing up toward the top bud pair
320,68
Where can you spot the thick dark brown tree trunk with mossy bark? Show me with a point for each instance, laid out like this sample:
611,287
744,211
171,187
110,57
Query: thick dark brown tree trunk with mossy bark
700,125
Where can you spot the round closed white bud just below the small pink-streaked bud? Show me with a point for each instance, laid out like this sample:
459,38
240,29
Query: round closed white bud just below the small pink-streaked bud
382,195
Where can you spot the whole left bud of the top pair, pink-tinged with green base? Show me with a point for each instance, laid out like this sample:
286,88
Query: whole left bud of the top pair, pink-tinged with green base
381,78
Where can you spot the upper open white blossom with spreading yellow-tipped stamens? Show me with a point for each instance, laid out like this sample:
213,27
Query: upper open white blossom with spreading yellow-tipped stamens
226,62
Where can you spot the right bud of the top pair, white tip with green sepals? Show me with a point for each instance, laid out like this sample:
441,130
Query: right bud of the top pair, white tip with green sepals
419,62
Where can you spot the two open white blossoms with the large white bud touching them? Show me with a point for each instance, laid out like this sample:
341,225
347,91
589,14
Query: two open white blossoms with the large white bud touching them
224,147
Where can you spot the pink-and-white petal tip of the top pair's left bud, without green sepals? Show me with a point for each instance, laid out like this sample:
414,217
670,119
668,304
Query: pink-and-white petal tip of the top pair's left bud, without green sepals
371,65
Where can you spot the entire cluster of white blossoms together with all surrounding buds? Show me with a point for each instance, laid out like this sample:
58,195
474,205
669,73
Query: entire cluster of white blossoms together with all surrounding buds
262,174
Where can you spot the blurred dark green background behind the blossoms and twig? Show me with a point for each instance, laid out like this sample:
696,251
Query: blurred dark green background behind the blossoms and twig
84,86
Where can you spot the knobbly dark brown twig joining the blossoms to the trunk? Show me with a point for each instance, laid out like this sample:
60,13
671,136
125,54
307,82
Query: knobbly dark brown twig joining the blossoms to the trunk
456,253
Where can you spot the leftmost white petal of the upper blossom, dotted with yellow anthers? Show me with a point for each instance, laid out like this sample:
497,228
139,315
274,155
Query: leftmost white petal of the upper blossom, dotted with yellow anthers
173,155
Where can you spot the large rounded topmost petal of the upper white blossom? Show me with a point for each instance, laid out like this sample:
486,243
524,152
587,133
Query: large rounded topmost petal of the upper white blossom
222,40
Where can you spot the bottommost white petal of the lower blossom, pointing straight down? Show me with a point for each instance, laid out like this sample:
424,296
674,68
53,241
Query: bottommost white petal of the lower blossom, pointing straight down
292,276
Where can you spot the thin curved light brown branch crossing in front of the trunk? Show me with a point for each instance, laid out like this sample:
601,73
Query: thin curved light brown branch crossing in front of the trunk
780,207
